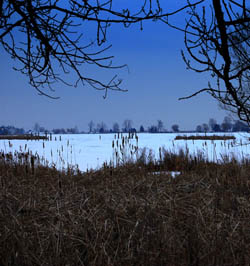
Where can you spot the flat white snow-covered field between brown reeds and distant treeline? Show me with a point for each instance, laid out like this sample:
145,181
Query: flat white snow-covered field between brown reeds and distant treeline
90,151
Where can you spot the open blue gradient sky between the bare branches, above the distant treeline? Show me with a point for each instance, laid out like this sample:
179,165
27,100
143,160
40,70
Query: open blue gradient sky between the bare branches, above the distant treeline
157,77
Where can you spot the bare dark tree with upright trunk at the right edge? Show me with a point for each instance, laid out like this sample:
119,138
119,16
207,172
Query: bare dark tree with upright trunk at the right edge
217,40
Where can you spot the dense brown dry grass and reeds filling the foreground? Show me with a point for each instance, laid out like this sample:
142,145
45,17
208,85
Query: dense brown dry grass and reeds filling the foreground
124,216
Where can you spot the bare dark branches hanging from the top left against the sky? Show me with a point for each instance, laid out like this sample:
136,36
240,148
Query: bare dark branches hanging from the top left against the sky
46,38
